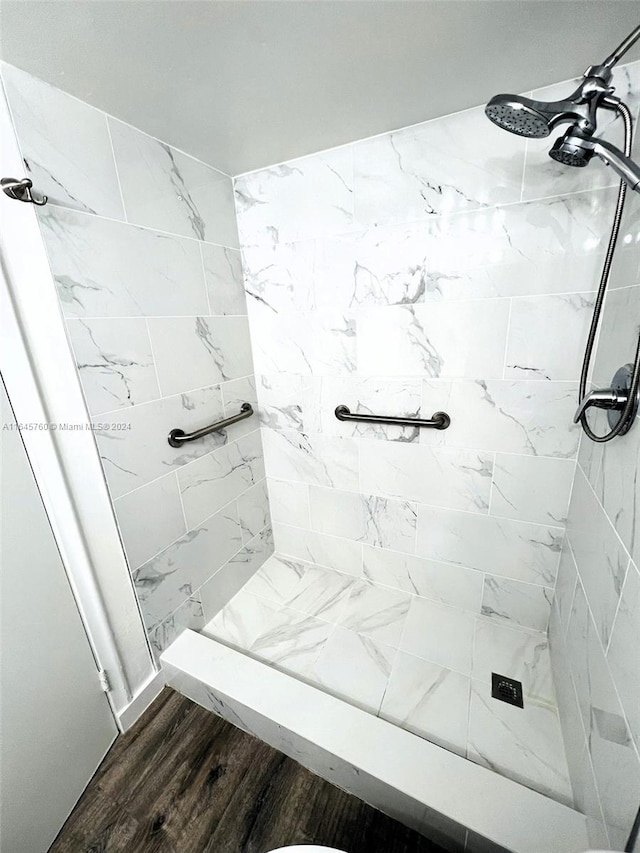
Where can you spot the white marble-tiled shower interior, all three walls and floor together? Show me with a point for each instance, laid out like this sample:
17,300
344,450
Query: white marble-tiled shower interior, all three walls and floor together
443,267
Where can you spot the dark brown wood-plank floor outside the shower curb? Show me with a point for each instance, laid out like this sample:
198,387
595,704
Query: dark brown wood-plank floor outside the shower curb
185,781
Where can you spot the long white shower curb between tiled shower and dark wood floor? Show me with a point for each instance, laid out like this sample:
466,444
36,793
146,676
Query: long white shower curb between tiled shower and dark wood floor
455,802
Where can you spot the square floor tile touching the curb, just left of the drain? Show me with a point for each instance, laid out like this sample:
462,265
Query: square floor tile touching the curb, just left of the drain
429,700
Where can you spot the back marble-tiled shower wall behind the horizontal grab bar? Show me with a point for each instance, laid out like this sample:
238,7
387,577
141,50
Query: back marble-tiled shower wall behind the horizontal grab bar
447,266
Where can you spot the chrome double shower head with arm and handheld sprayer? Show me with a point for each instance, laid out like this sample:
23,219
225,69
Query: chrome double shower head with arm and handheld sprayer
536,119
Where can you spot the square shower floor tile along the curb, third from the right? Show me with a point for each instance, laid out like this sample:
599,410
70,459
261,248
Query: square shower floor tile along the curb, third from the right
355,668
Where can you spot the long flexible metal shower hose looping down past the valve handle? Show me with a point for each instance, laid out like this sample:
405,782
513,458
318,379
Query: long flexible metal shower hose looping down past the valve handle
626,414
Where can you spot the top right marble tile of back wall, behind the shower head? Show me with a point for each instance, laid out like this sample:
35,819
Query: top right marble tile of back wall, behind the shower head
544,176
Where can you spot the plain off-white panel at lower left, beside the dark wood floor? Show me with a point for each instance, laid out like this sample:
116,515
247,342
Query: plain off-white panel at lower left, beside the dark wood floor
56,720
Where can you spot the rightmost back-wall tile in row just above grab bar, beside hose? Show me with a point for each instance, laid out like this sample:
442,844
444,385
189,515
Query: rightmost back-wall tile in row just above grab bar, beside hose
547,335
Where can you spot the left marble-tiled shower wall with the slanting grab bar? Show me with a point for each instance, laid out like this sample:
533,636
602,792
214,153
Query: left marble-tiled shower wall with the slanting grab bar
143,246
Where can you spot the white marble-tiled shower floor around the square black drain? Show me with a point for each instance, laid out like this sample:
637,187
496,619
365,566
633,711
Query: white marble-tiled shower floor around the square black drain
419,664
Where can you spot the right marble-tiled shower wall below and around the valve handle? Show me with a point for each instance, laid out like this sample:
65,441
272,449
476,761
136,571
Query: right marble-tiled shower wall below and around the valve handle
595,622
